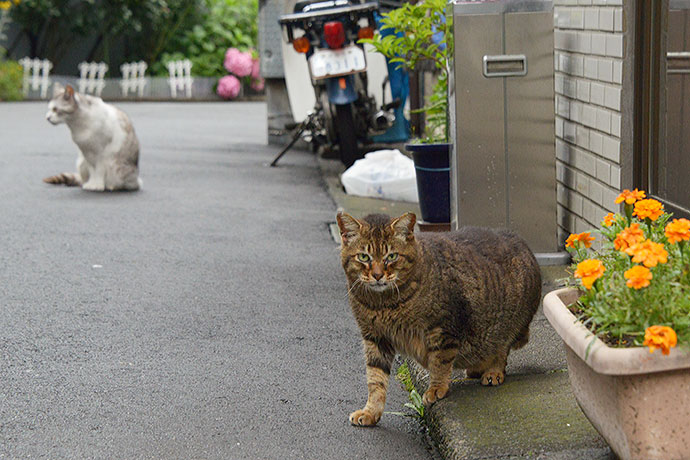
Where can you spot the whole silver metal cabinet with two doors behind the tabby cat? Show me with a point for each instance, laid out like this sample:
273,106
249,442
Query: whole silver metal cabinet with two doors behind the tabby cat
504,163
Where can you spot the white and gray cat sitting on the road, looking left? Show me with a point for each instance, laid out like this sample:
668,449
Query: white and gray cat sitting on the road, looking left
109,149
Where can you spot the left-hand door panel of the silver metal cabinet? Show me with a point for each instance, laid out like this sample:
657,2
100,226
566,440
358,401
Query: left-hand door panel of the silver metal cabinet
479,197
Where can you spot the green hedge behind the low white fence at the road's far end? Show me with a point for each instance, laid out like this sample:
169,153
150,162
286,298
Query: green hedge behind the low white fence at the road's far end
155,31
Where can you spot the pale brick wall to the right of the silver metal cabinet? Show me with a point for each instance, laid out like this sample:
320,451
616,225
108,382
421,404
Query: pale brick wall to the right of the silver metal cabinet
588,62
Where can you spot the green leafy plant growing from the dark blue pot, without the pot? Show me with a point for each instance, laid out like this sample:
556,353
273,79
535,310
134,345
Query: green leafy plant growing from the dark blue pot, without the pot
415,26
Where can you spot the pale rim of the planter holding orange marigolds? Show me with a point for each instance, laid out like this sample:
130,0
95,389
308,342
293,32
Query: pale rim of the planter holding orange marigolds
602,358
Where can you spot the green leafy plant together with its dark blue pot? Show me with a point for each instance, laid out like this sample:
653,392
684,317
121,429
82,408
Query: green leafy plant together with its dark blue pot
421,32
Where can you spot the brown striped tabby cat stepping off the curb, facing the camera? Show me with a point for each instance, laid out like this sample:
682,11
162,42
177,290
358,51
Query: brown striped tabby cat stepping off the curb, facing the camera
465,297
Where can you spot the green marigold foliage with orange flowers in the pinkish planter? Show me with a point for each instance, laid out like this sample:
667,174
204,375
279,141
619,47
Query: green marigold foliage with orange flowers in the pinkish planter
613,309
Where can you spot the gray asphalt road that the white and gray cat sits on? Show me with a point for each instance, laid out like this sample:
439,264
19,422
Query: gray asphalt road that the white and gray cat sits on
204,317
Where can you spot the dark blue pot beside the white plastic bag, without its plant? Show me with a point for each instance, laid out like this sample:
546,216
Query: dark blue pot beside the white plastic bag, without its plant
432,167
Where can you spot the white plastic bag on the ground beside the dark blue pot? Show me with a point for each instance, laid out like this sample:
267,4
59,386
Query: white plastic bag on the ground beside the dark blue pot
386,174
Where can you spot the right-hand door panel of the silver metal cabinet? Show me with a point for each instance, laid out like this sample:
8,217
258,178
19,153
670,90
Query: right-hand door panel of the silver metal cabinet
530,141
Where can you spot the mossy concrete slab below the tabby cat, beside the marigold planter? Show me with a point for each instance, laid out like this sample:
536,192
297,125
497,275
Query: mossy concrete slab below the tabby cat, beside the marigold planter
530,416
